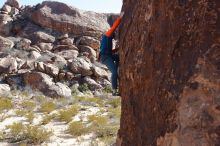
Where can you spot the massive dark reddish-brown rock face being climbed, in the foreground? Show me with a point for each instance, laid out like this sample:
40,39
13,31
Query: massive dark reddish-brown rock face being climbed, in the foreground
170,73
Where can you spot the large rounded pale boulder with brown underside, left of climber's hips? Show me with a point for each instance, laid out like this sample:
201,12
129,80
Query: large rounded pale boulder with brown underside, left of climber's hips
81,66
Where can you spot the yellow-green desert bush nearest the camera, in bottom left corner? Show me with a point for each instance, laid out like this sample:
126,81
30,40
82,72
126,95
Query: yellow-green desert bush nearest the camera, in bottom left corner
31,134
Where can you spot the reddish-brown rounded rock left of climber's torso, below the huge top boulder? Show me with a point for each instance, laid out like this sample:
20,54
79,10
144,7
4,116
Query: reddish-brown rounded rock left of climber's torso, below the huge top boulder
89,41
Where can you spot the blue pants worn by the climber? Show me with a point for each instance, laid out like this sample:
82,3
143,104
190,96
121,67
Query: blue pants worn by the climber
111,61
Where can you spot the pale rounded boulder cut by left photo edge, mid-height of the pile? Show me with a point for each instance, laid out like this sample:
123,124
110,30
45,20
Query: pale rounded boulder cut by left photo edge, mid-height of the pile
8,64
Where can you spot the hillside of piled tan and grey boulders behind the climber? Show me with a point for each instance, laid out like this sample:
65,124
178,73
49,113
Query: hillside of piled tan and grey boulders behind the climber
51,48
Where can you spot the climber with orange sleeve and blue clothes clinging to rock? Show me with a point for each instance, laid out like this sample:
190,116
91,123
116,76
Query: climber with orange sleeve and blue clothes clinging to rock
107,54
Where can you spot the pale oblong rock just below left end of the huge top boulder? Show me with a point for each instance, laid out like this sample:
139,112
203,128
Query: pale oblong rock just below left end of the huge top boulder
43,37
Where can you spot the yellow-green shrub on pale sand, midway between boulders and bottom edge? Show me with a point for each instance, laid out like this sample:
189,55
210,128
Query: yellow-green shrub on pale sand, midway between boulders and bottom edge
67,114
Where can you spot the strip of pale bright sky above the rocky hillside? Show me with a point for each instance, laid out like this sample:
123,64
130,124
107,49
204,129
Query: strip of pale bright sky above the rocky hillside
102,6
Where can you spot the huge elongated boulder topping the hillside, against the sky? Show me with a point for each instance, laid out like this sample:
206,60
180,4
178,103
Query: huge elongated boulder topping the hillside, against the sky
63,18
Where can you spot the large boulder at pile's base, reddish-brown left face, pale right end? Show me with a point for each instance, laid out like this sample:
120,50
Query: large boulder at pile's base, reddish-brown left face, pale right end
43,83
